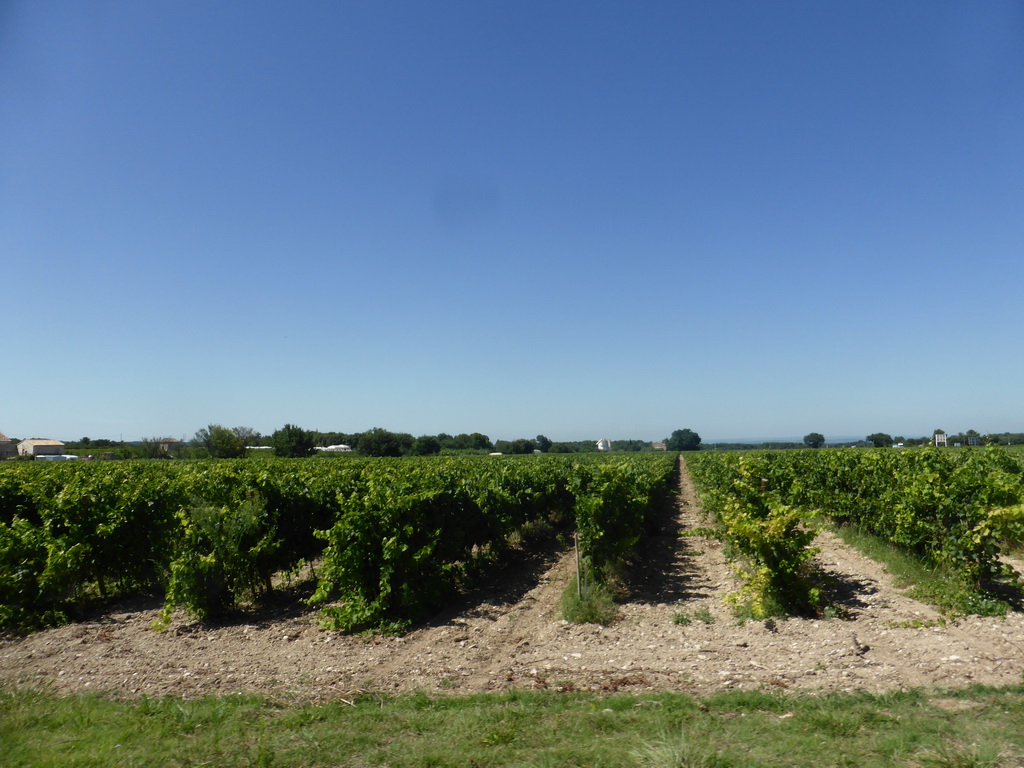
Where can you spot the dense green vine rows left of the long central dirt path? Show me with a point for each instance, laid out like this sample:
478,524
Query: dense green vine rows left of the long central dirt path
398,538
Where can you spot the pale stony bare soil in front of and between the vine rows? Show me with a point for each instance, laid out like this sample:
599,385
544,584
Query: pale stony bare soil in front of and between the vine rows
675,633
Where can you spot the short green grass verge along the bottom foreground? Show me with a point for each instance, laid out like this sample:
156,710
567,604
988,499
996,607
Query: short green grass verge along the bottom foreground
982,728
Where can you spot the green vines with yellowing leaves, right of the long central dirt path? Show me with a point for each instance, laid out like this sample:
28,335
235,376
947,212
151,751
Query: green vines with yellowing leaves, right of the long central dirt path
957,511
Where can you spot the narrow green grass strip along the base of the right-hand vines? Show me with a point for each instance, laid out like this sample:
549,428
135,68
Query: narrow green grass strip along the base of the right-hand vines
937,587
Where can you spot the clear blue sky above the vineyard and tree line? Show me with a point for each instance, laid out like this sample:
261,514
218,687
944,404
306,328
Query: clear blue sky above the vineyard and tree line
574,219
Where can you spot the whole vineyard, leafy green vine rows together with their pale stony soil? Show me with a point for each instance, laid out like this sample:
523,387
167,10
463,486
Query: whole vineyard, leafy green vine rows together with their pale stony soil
470,558
